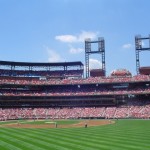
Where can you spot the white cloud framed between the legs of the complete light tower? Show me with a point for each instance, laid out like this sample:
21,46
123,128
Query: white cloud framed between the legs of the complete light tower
95,64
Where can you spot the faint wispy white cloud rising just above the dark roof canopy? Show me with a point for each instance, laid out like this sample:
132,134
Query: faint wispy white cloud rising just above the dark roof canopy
53,56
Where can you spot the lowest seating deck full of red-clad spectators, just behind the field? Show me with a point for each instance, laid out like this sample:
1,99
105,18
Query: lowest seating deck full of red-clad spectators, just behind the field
130,111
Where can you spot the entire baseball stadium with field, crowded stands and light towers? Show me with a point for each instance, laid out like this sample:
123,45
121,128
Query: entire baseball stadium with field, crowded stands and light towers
68,106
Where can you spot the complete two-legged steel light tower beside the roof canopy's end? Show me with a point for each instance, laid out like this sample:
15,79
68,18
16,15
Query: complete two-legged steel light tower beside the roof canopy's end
89,50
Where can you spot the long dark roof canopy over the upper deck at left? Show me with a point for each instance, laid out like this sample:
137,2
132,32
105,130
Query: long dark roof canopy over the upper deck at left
41,64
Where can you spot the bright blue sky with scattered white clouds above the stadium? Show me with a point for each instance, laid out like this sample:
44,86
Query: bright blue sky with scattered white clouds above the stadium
54,30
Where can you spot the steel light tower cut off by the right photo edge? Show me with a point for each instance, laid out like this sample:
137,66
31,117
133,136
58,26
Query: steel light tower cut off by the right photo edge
139,47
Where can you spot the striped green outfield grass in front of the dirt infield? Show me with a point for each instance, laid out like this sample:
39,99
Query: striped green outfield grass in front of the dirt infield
124,135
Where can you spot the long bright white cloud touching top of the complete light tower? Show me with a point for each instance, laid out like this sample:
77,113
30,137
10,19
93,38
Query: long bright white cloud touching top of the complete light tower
76,38
